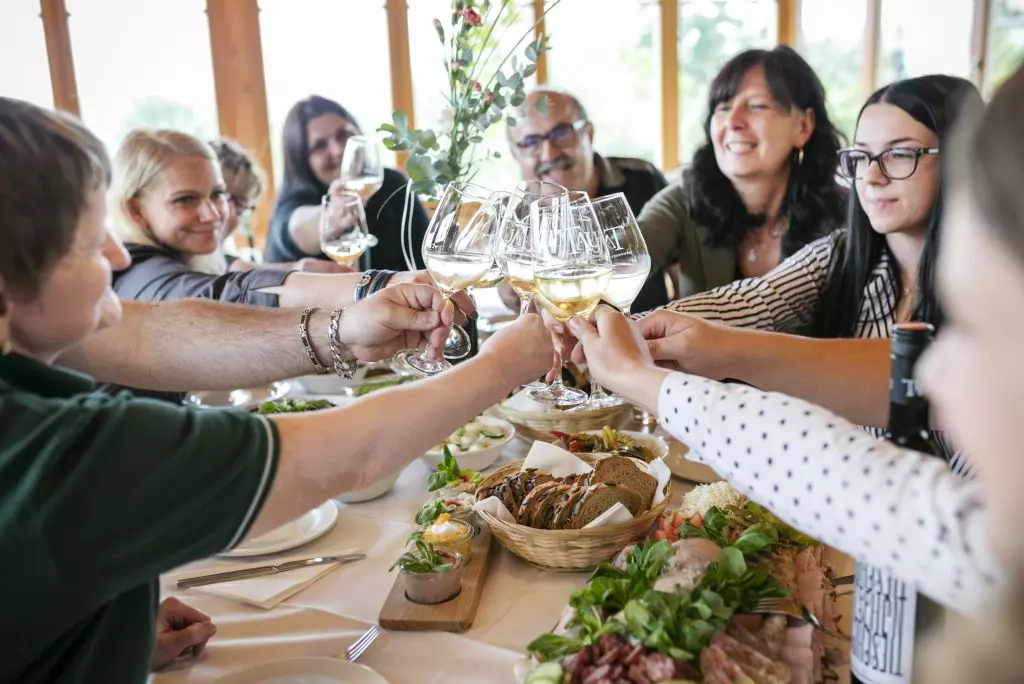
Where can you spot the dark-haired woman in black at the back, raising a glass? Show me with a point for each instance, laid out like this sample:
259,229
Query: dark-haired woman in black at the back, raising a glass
315,137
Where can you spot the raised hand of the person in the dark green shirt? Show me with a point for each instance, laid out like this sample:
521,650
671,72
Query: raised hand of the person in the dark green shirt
522,351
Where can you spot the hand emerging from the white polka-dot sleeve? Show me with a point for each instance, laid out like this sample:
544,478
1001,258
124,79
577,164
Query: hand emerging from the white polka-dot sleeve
617,357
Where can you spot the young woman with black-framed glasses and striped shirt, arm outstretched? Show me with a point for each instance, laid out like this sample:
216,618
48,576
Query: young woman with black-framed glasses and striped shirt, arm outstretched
854,284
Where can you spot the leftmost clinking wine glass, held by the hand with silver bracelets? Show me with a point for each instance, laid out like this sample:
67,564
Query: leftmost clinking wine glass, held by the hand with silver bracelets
459,250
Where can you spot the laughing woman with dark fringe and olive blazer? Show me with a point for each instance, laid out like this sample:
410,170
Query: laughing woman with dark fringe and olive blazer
763,185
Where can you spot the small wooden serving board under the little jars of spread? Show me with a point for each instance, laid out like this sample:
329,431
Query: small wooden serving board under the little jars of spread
454,616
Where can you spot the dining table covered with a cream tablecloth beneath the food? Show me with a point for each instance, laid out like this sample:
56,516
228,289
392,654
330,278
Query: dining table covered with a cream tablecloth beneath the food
519,603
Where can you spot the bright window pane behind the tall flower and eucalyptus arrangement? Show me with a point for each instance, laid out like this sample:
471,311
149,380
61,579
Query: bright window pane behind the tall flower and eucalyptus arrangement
431,88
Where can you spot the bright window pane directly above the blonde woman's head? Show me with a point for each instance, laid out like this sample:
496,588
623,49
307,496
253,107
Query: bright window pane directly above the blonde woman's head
144,64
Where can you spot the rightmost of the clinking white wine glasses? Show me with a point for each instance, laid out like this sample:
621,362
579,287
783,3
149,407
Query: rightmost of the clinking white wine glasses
630,267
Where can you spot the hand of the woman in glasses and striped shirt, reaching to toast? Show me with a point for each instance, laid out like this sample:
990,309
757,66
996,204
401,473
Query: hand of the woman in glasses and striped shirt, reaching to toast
687,344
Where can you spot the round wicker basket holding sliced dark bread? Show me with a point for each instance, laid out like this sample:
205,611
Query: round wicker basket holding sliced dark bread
568,550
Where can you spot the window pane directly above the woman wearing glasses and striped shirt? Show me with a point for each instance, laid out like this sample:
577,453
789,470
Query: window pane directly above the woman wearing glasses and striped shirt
919,37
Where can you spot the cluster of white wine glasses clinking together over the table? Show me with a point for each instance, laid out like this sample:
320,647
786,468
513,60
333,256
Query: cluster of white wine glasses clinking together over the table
558,248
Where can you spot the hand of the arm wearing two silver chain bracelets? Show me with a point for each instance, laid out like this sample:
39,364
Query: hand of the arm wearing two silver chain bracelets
400,317
